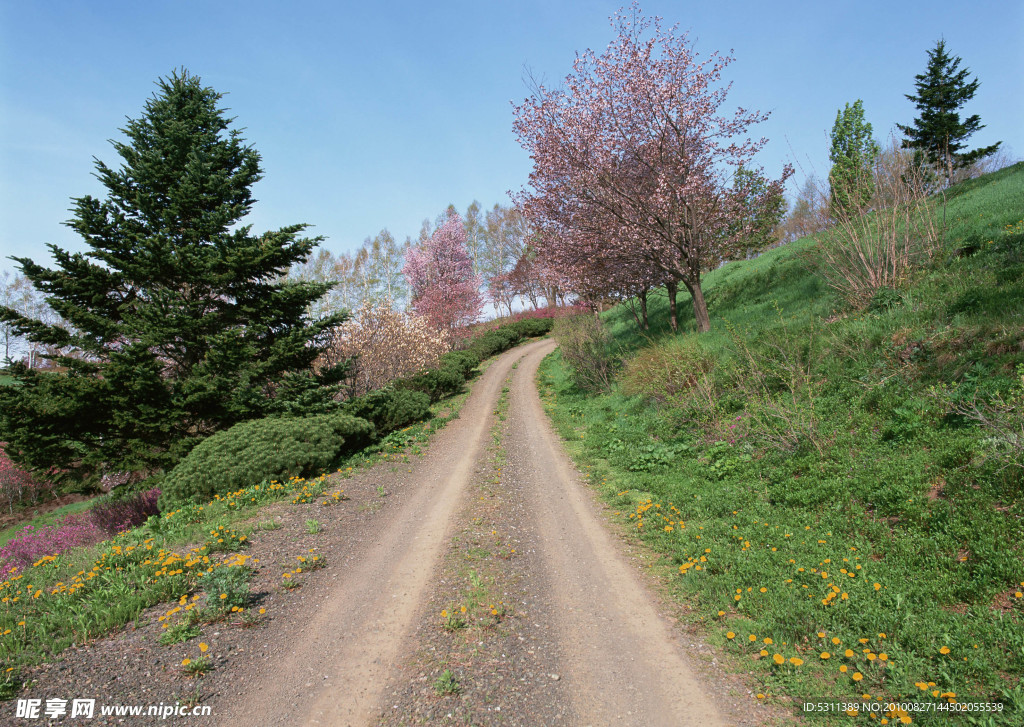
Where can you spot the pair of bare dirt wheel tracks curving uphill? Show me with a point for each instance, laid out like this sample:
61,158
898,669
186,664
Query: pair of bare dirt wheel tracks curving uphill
614,659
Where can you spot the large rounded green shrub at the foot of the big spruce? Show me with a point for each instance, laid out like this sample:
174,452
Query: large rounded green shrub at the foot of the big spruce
264,449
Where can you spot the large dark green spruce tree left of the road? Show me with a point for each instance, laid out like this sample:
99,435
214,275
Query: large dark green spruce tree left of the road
178,320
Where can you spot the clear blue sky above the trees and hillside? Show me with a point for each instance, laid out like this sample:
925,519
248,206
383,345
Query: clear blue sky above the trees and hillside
372,116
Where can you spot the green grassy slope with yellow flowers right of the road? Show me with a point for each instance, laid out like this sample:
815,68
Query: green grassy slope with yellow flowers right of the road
913,503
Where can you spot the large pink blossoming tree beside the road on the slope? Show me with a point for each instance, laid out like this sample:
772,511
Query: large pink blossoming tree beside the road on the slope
634,154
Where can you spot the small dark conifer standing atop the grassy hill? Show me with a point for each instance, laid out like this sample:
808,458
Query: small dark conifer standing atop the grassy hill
938,134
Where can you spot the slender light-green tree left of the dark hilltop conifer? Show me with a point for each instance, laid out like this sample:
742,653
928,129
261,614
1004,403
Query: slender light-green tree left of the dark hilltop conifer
854,154
